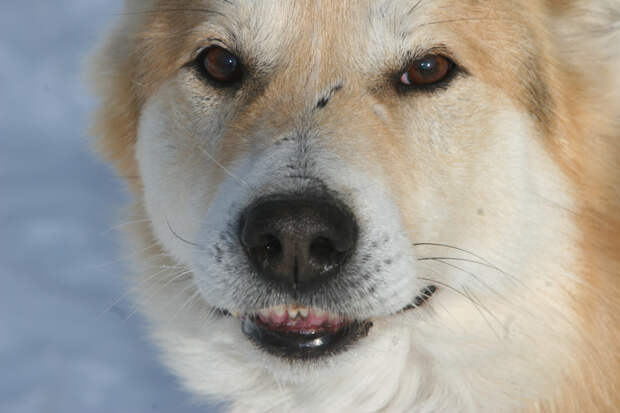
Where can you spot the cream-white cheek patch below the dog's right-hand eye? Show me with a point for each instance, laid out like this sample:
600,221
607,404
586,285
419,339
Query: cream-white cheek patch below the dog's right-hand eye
472,172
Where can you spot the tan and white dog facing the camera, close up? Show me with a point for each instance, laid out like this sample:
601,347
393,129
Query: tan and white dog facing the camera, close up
373,206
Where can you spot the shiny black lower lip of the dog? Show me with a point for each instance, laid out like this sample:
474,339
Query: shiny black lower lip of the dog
303,346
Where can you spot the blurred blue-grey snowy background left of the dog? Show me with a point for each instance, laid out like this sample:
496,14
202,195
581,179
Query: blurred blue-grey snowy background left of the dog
59,261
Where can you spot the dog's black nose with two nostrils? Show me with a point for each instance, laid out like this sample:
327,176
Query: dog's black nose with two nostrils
299,242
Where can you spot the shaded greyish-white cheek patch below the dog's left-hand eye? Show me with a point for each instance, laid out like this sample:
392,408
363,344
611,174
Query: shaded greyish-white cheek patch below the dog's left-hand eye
178,179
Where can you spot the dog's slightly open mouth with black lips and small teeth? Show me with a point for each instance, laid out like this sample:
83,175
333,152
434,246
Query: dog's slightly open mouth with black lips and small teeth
301,333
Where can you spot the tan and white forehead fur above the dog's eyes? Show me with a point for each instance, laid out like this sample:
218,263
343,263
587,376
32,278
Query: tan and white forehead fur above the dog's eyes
359,35
